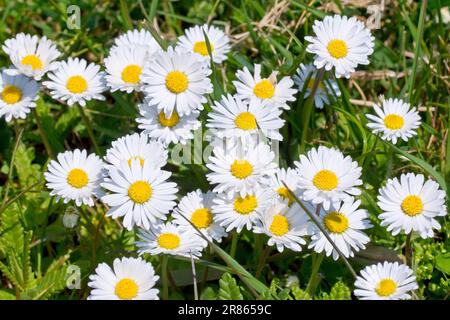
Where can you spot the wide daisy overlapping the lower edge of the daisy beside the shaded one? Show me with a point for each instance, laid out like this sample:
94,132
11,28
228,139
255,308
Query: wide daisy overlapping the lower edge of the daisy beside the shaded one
232,117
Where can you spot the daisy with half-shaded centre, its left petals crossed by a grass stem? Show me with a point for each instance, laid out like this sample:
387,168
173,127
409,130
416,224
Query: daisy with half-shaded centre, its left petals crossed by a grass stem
344,223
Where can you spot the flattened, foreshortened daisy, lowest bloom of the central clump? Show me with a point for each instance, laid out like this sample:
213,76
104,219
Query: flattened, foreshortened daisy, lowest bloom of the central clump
170,239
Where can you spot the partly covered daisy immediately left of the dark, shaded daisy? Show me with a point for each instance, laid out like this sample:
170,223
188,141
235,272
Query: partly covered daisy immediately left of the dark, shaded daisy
275,93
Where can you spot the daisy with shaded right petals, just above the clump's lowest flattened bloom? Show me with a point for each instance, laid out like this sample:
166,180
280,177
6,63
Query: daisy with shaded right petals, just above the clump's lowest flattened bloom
196,206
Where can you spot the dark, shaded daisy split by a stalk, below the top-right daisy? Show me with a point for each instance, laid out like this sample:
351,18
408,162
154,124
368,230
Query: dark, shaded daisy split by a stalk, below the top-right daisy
325,91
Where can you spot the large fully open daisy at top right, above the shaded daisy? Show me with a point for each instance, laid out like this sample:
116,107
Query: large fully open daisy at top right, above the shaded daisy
340,42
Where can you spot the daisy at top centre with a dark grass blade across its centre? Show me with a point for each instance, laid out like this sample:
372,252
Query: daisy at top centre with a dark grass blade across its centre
194,41
